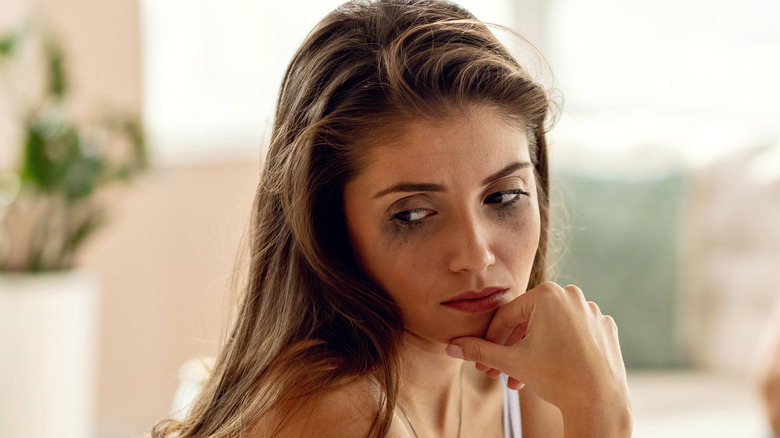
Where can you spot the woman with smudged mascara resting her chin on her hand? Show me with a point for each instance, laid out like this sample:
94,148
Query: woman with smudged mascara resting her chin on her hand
400,227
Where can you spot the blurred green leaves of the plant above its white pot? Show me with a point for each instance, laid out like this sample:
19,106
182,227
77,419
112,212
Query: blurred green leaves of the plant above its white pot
64,166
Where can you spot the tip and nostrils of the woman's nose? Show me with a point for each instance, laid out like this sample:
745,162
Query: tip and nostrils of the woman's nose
471,246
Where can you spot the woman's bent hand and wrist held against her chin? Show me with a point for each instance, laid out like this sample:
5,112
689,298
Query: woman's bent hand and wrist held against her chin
561,347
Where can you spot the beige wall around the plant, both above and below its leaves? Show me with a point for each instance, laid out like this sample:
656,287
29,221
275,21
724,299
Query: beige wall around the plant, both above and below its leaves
165,260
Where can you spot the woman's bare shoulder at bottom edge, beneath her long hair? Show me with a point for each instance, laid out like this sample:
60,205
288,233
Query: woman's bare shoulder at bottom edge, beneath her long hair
347,410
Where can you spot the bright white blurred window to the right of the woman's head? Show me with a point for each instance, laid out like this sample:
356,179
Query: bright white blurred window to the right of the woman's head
698,77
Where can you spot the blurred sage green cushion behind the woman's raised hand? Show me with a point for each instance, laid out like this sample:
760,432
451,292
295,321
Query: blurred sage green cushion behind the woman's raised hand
621,247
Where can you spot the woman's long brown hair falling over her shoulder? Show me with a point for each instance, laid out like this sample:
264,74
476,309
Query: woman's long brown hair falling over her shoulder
309,318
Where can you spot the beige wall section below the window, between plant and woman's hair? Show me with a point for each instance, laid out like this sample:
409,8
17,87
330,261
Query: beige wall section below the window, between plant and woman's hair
165,264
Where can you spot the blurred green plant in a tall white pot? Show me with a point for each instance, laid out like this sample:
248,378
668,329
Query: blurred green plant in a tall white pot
53,173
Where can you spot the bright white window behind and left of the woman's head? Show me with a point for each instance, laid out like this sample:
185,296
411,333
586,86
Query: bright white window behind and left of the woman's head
212,69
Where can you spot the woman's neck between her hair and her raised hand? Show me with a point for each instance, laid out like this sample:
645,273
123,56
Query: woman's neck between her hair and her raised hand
432,391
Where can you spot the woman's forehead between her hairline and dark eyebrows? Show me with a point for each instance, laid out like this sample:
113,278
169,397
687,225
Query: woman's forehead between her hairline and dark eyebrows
469,141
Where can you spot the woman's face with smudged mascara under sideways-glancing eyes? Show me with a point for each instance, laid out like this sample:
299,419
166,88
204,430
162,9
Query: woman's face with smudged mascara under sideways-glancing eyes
444,217
